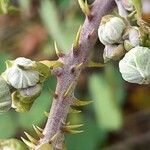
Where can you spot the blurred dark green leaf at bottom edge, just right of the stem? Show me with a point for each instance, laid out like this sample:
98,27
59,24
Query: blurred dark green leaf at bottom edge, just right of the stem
88,139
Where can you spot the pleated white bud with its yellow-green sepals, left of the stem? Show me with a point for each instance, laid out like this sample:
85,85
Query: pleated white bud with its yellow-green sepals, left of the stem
23,73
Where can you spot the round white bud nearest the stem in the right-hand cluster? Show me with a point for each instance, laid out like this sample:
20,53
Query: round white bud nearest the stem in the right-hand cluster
111,32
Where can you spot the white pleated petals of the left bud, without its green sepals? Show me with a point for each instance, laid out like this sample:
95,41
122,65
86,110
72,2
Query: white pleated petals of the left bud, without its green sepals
20,74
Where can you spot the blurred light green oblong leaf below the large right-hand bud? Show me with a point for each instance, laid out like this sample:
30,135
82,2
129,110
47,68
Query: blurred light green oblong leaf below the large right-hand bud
107,109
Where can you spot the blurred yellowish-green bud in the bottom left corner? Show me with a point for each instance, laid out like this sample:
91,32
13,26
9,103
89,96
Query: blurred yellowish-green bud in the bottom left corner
12,144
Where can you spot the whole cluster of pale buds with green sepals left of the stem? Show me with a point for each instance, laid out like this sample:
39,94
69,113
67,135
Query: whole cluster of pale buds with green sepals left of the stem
21,84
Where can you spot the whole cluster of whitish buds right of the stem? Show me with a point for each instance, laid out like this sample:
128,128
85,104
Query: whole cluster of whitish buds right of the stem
121,35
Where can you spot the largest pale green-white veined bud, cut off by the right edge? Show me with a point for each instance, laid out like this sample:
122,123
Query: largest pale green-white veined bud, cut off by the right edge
135,66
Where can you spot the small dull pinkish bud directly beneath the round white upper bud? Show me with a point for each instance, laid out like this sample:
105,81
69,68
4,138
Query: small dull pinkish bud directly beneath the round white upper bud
113,52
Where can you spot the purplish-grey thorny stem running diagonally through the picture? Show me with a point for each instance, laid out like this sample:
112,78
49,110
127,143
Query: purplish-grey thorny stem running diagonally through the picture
60,106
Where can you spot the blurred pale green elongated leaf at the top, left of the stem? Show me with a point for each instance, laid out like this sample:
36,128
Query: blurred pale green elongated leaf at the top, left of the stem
52,23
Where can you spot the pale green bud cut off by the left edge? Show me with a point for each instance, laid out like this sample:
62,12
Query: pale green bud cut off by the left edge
5,96
